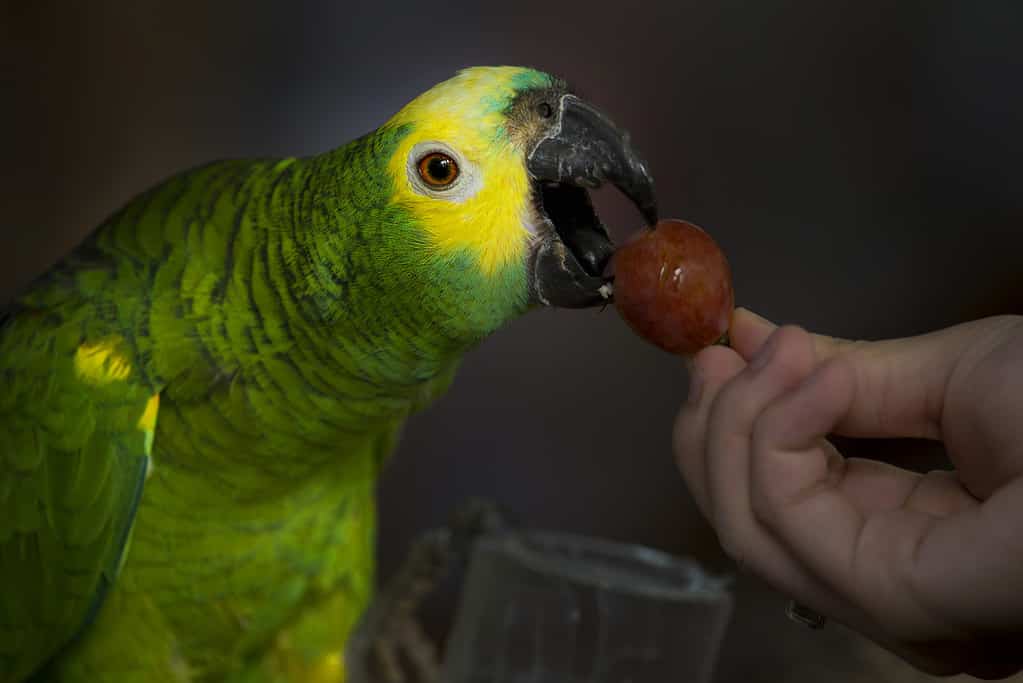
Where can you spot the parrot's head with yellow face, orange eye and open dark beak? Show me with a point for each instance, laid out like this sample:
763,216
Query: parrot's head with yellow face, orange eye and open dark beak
494,167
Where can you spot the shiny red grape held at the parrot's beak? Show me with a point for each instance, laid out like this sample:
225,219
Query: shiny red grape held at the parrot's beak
674,287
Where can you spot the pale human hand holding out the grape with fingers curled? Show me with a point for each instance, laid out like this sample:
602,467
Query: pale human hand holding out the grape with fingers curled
928,566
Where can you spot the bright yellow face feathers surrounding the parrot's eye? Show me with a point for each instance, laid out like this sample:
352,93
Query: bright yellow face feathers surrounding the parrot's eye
467,114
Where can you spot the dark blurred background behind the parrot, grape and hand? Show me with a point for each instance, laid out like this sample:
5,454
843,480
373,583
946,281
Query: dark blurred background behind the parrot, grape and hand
857,161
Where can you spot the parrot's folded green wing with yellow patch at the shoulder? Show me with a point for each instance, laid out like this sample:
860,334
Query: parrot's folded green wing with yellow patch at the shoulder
76,433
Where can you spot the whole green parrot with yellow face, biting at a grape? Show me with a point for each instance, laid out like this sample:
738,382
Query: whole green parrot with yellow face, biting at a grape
198,400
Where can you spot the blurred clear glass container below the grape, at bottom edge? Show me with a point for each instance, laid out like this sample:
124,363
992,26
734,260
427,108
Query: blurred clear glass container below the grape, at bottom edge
546,608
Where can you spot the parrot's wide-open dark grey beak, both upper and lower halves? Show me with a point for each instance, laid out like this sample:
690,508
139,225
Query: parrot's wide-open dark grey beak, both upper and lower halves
584,150
